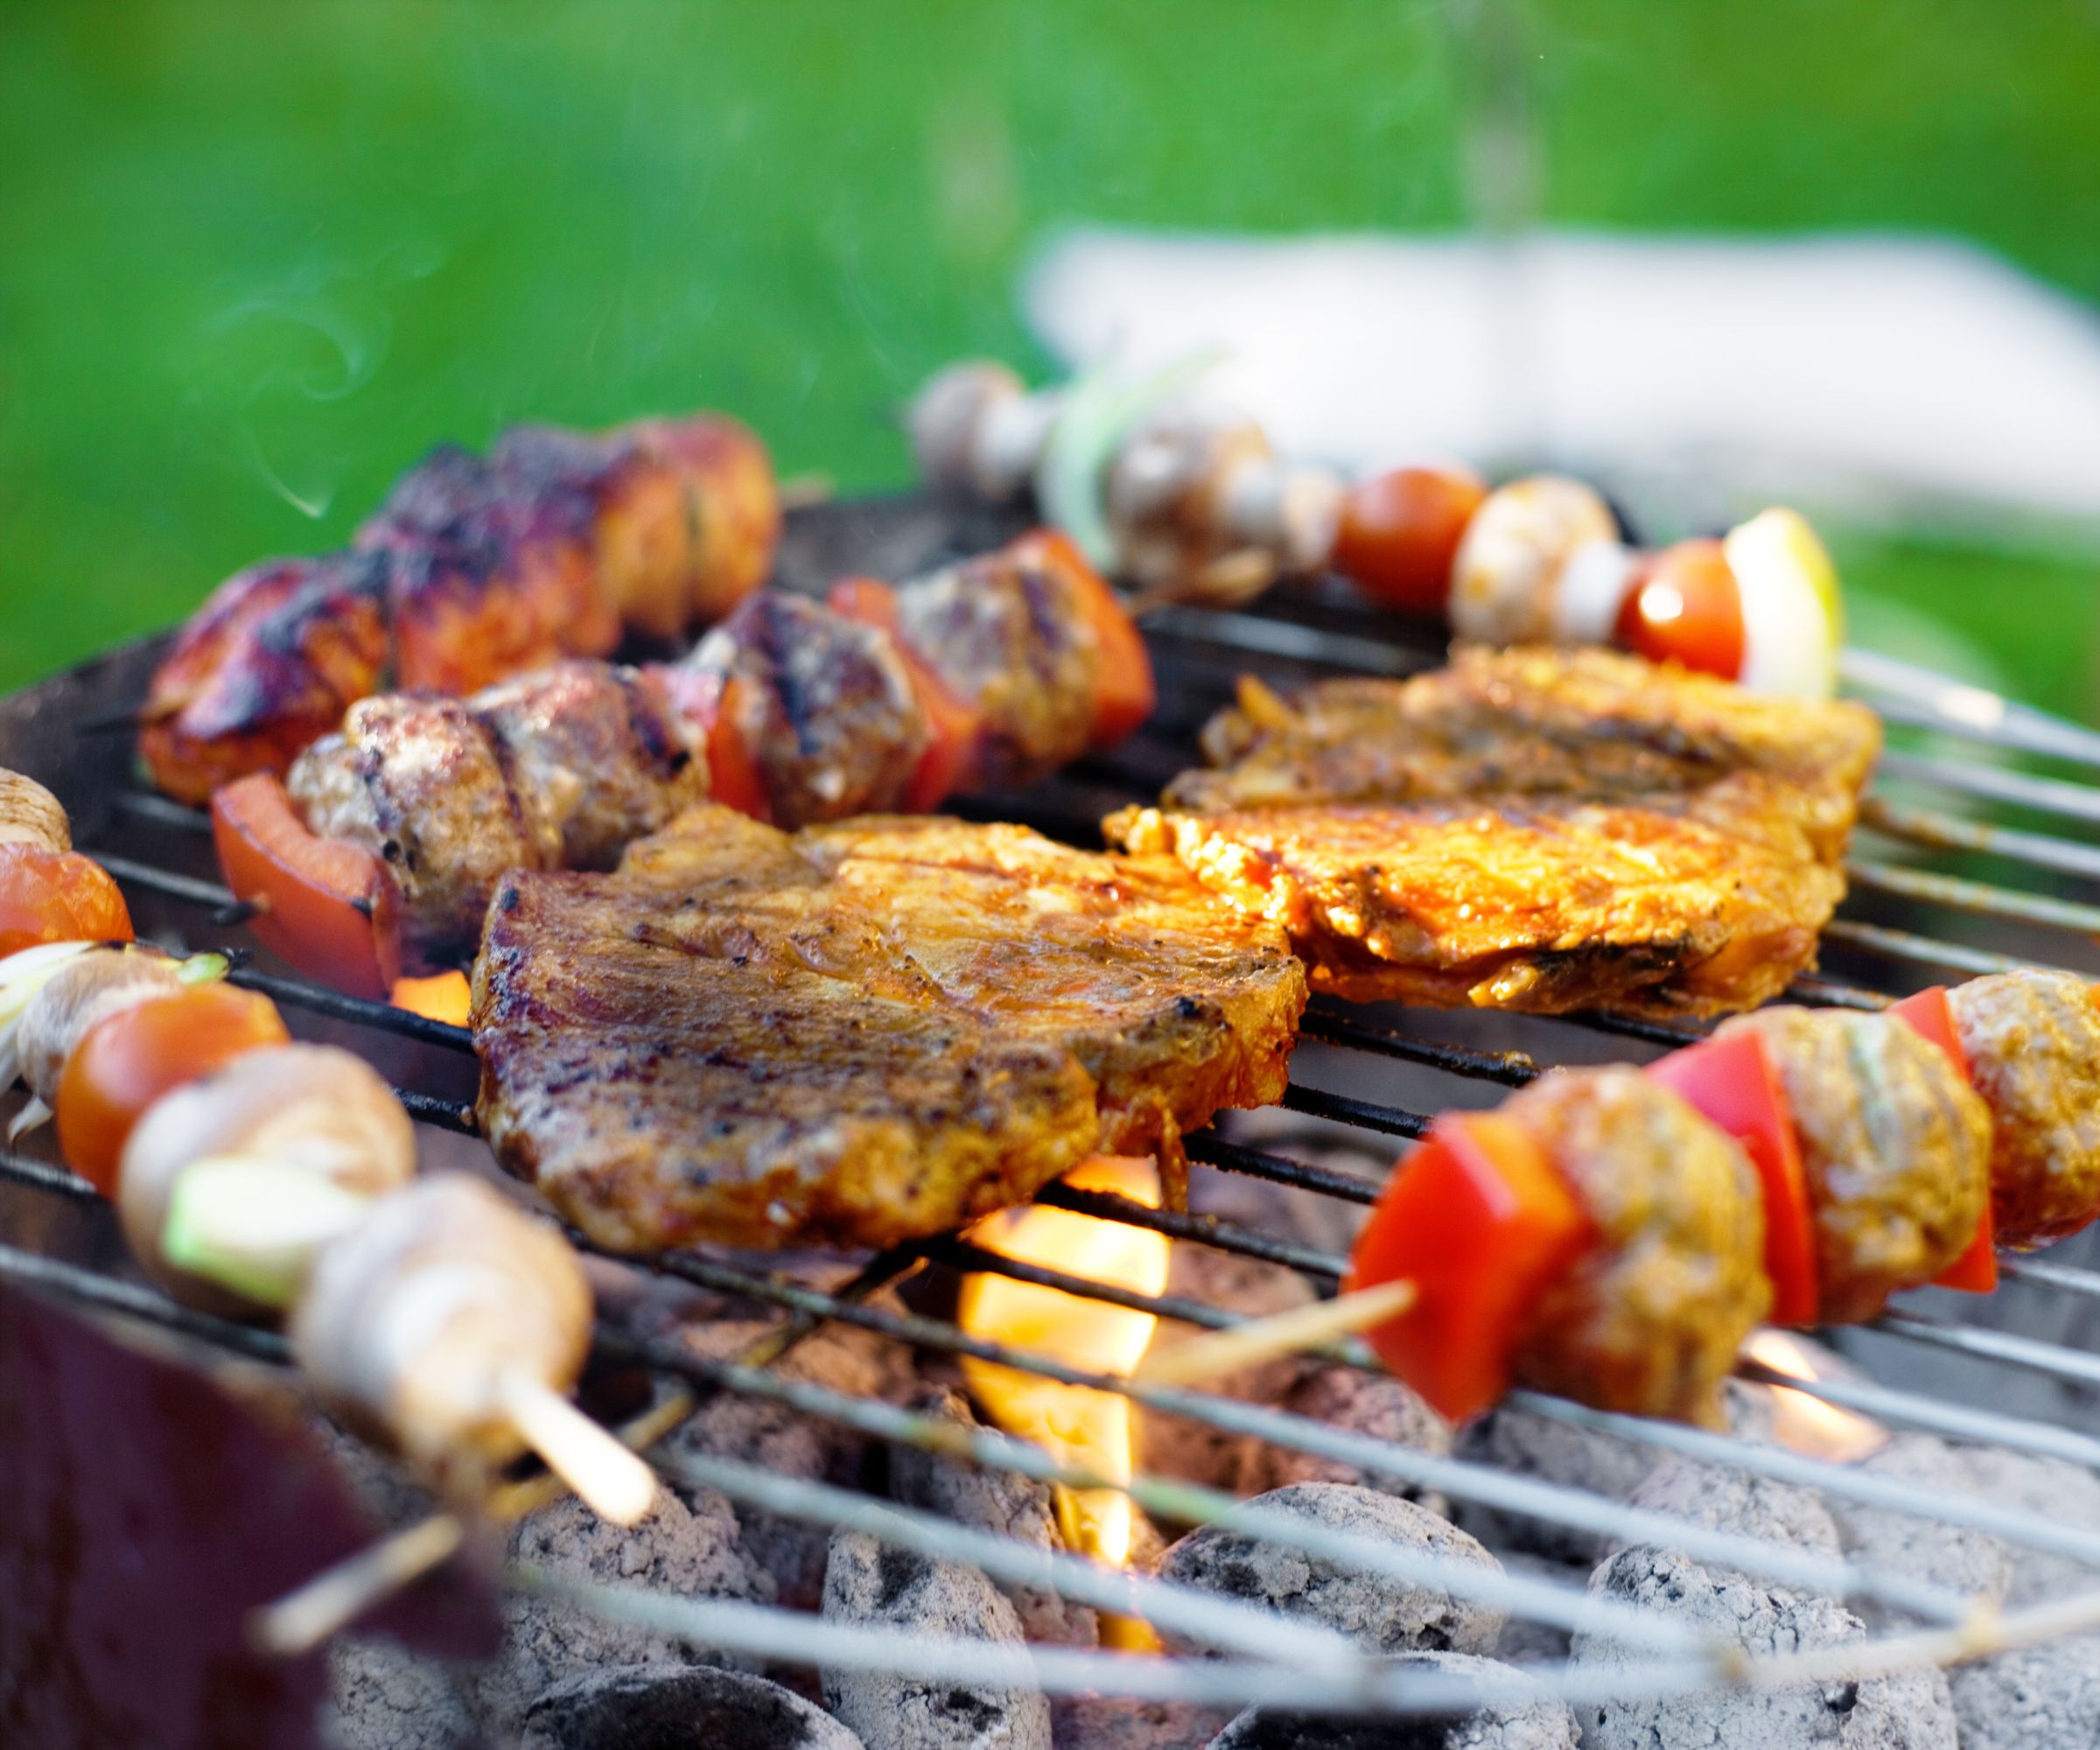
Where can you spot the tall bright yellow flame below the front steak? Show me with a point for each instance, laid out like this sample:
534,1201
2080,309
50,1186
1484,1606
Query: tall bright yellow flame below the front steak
1080,1428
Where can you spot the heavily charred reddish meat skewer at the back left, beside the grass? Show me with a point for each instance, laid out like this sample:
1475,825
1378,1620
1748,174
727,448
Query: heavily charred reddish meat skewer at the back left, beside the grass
474,570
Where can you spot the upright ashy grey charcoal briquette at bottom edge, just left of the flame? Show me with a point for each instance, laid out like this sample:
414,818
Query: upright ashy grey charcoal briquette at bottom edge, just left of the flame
881,1587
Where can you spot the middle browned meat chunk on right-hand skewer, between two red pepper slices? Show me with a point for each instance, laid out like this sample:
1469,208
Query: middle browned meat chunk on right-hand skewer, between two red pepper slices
1895,1144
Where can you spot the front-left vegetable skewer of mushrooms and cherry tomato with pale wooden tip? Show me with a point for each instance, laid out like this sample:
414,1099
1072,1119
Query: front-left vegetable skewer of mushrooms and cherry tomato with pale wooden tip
253,1175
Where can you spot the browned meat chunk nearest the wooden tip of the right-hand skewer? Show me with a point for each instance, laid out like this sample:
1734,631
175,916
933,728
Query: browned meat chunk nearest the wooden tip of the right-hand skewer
1652,1316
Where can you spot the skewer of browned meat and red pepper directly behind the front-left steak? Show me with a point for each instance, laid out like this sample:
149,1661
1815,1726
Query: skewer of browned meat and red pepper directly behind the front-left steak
390,837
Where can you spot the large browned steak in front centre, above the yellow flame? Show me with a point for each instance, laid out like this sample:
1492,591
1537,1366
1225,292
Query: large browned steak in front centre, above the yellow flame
862,1033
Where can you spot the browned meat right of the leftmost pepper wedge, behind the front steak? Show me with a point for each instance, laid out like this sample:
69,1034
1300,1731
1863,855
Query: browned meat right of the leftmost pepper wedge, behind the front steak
558,770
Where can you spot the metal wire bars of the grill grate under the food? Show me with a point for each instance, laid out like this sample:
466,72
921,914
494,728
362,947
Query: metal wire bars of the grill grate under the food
1263,1661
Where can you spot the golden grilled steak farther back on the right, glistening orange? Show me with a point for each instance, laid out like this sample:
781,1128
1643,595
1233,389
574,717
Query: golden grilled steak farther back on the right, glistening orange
1530,829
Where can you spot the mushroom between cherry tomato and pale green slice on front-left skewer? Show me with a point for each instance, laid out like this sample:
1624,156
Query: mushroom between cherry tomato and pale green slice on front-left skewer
306,1108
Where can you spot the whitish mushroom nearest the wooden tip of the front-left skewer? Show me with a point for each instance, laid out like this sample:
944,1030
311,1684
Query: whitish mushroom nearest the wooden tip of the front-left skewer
413,1322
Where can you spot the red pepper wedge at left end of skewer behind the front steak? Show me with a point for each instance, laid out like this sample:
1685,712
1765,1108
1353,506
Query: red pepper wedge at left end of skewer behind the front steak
327,907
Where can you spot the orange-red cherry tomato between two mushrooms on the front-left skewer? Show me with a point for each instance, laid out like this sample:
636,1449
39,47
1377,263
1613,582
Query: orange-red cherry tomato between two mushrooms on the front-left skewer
133,1058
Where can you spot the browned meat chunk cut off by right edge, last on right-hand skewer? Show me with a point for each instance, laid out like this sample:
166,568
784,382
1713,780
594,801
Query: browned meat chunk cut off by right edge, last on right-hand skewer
2034,1049
